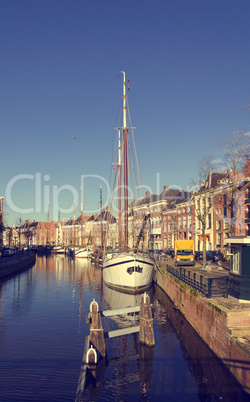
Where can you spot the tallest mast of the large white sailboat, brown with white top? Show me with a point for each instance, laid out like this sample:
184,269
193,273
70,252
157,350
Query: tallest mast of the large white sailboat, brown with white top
125,154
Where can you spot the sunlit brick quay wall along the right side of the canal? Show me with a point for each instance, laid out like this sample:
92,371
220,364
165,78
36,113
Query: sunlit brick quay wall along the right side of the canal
215,322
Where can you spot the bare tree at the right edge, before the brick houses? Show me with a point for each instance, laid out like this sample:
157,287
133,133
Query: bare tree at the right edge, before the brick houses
235,150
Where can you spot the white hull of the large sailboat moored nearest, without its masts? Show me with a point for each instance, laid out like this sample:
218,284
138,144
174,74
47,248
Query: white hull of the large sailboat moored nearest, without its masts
128,272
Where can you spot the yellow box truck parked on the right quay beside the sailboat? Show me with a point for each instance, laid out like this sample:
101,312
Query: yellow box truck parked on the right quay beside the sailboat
184,252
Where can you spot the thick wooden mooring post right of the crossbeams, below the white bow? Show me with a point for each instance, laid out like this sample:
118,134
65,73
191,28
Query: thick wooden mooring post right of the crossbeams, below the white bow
146,332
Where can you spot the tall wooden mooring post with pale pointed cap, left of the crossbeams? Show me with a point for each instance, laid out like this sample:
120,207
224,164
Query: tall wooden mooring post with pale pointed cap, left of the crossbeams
96,330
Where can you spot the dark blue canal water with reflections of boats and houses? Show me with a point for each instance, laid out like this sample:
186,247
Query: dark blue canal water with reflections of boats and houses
42,334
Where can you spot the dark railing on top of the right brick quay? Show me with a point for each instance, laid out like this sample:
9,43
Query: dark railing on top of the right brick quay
209,287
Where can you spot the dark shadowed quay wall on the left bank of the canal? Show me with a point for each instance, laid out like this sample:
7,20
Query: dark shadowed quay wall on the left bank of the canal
16,263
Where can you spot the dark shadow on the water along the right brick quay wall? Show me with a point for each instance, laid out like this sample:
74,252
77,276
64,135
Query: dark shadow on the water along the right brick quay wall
211,376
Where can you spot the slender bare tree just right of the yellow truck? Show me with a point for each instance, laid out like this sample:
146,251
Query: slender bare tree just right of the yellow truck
203,201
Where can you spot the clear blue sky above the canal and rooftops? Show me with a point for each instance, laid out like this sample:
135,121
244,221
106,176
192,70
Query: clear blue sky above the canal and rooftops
188,63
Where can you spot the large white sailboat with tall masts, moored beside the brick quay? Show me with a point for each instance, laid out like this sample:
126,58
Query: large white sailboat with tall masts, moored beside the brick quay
126,270
